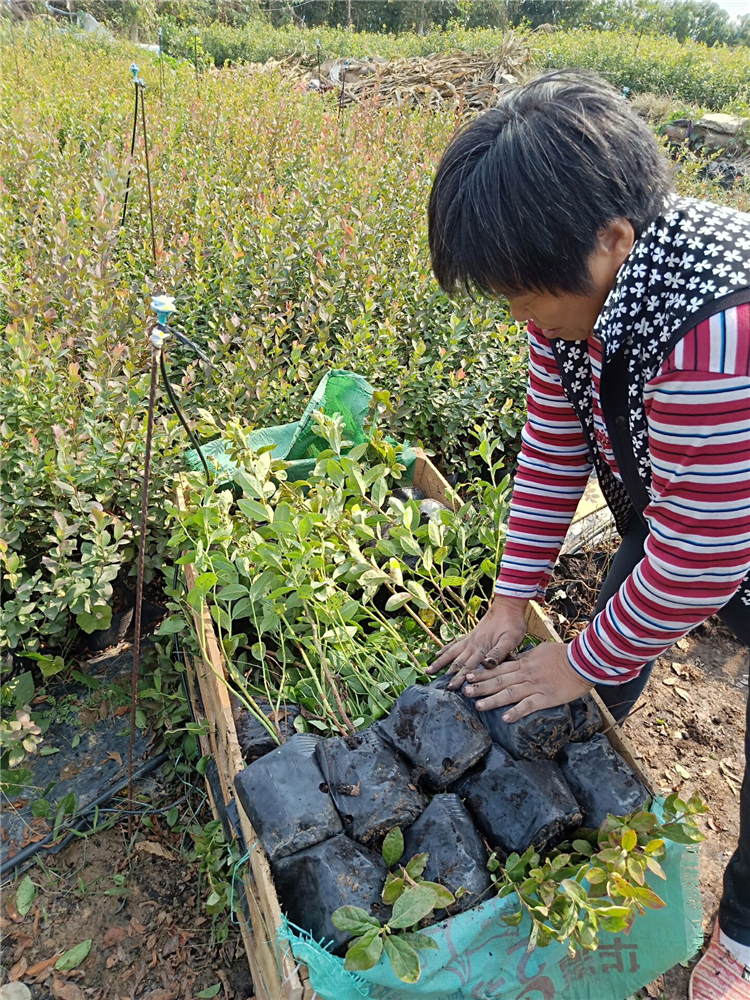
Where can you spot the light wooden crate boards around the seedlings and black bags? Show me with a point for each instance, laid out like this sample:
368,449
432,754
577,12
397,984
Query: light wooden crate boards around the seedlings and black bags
275,975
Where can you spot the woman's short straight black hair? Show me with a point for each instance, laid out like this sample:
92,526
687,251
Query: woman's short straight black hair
522,192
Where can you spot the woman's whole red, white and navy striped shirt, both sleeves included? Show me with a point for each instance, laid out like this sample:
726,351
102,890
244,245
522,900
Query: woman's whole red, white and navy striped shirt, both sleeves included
698,548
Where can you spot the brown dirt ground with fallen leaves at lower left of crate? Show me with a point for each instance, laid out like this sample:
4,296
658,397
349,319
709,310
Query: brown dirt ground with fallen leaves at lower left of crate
151,941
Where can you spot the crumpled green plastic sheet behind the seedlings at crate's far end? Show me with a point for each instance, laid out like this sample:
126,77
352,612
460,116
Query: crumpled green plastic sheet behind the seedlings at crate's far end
340,391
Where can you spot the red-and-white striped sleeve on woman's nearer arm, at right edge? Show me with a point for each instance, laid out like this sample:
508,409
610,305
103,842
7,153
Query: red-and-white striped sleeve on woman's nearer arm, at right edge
698,548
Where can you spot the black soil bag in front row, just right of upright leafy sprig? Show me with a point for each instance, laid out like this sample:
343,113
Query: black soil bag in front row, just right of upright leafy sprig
458,856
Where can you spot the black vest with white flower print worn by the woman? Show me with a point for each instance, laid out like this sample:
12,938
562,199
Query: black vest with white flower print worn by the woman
691,263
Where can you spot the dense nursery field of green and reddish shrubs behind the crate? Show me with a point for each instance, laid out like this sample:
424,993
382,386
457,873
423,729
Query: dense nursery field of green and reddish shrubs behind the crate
293,241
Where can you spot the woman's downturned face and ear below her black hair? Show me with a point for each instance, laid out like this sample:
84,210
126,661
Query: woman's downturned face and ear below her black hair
571,316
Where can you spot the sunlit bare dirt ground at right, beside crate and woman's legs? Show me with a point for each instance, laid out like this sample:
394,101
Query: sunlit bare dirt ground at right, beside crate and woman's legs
688,729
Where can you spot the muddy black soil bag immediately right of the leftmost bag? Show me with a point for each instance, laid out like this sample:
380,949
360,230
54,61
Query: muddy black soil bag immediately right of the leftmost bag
370,785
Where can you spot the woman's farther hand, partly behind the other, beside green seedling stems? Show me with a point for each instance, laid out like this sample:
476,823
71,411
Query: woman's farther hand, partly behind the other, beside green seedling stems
491,642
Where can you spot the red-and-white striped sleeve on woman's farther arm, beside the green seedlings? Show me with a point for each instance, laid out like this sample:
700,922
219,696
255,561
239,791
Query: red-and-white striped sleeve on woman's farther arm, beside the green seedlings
553,469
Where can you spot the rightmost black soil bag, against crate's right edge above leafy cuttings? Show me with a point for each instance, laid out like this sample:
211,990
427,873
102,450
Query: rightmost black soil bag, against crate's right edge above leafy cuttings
601,781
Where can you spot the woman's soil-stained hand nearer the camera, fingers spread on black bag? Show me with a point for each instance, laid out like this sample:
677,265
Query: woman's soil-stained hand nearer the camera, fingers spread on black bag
539,678
